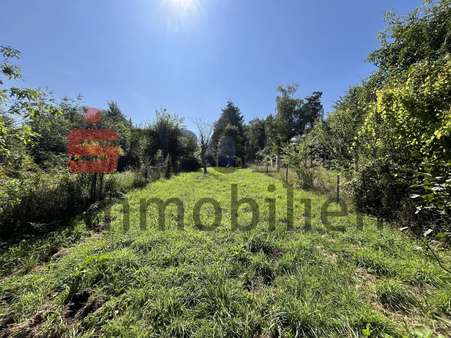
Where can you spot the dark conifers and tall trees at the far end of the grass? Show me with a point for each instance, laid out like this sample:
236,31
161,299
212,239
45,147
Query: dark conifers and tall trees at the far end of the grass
235,143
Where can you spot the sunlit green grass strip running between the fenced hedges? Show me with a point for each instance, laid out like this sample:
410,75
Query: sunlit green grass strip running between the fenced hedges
255,283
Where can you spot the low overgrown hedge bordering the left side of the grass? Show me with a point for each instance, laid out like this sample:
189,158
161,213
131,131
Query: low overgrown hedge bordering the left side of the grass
40,202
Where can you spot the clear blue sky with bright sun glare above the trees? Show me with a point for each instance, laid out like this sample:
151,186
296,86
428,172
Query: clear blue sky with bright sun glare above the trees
191,56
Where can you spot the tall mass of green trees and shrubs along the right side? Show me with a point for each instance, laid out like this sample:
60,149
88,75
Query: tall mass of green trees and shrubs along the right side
391,135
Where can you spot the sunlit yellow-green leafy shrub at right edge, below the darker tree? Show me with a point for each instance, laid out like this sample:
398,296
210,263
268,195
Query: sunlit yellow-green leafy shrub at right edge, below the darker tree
404,134
